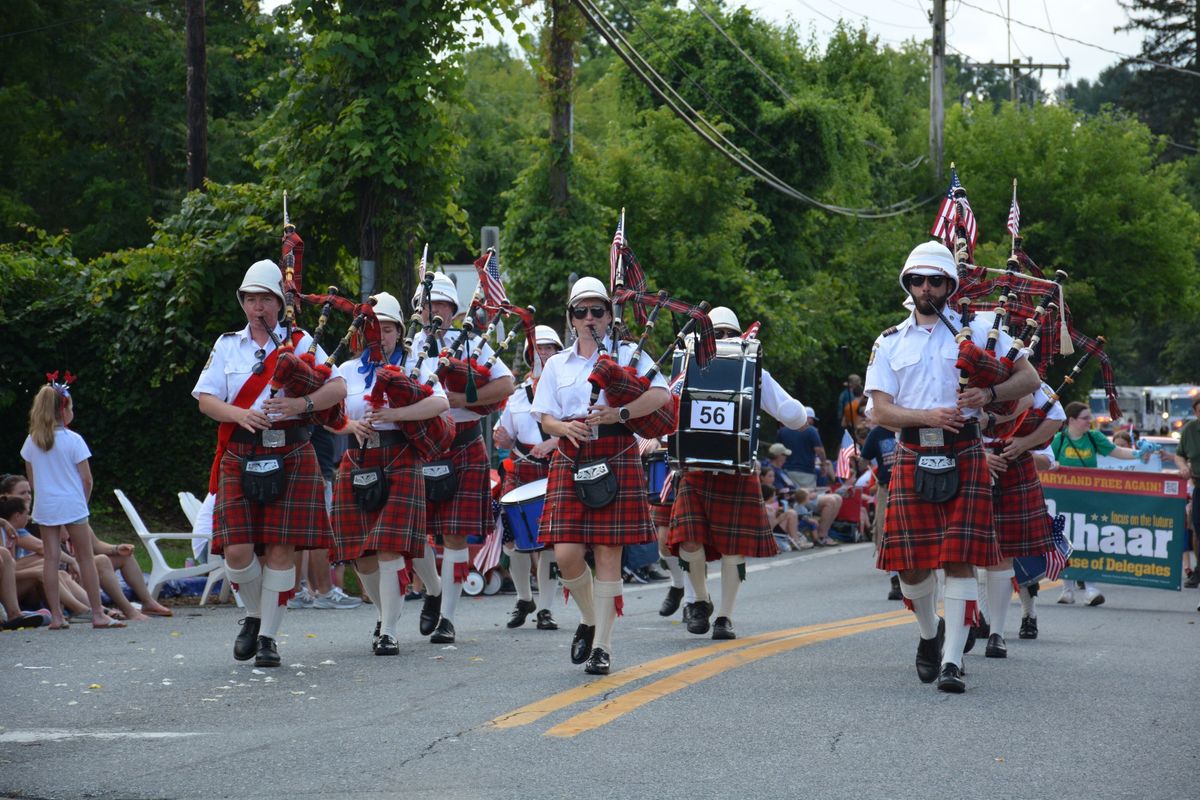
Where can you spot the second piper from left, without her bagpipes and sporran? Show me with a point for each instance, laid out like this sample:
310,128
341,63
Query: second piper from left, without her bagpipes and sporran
379,542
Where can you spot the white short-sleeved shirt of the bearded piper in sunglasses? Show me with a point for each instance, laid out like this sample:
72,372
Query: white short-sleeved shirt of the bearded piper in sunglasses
916,365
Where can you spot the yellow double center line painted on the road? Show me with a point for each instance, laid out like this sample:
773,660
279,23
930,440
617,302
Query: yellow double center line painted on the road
736,654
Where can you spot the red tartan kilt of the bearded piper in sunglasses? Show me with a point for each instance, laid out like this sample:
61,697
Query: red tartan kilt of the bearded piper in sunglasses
927,536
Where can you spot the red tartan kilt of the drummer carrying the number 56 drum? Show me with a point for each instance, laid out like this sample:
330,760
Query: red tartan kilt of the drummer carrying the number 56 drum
723,513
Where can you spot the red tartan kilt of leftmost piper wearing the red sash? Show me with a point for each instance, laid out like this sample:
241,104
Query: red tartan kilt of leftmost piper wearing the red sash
297,519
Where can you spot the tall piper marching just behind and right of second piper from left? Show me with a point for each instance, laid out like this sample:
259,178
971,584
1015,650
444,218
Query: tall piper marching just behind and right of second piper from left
458,482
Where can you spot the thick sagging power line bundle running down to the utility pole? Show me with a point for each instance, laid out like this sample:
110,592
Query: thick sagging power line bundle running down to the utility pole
662,89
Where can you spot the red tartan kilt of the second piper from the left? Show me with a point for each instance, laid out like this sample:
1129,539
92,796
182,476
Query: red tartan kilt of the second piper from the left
399,527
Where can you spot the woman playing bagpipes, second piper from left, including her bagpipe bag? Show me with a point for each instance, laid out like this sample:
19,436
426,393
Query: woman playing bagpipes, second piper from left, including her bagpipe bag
380,494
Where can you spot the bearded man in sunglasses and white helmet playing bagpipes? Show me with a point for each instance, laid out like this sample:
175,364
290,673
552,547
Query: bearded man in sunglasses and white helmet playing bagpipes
940,508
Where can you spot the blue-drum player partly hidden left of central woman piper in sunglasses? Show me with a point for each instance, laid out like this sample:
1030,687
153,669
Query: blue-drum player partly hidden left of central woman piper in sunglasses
531,450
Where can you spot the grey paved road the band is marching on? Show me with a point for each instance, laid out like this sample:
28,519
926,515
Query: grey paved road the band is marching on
819,699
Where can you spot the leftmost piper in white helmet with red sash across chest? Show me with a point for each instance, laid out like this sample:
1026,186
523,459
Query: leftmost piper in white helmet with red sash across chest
271,497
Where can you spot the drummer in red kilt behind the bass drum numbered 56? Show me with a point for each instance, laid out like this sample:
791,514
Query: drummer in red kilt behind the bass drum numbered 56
722,516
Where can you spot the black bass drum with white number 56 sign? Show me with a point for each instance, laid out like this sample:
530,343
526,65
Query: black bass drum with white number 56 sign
719,411
